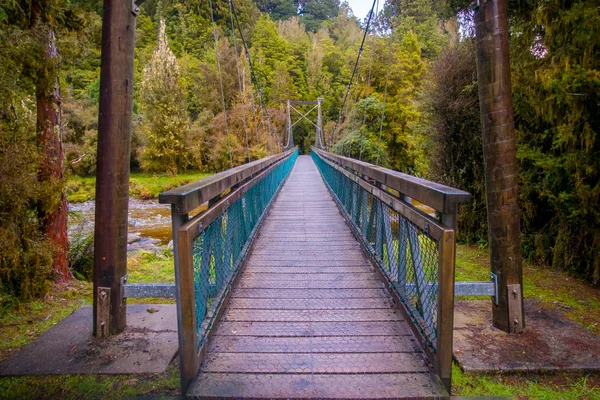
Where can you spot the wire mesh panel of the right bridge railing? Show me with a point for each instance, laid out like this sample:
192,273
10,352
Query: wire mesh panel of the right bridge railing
407,254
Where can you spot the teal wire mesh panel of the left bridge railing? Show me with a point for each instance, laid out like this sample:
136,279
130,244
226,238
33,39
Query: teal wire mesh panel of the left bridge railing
220,247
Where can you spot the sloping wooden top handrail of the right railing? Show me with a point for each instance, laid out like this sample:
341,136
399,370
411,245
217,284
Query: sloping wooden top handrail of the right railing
440,197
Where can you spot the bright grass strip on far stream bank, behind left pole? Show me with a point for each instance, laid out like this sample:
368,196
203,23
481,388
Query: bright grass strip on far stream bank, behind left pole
141,186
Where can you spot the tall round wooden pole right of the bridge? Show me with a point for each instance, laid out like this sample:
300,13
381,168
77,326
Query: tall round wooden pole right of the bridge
499,151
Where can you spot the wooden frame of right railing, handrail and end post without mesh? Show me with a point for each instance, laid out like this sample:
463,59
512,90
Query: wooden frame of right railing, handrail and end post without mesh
375,181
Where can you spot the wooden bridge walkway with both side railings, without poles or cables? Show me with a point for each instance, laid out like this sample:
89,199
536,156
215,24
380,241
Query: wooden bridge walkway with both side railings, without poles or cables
315,276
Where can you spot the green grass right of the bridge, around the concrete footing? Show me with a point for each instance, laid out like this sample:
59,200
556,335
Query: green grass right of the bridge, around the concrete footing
577,300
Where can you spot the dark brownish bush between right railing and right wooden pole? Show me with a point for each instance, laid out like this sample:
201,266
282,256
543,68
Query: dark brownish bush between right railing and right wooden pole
451,102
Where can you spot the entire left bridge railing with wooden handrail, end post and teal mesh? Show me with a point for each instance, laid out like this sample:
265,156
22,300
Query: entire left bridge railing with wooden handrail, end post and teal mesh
211,246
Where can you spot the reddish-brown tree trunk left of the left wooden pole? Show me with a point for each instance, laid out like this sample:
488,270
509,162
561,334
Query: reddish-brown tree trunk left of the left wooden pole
50,132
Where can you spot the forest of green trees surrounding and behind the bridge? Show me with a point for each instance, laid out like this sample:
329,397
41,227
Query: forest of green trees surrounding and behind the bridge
412,106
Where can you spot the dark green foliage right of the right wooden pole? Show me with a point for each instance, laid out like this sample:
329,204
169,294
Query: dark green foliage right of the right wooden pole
556,82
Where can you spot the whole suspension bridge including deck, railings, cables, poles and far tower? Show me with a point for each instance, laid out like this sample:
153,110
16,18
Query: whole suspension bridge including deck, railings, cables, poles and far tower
304,276
